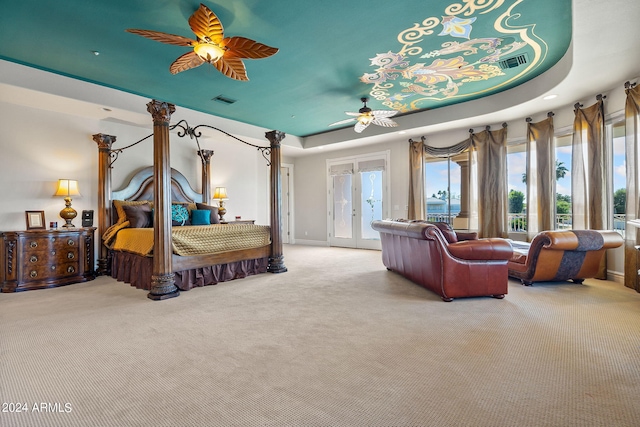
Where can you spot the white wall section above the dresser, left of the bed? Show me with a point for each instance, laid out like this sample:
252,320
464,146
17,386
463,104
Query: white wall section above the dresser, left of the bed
37,148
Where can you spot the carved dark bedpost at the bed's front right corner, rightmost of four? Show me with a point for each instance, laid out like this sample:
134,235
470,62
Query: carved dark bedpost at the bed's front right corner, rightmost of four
276,260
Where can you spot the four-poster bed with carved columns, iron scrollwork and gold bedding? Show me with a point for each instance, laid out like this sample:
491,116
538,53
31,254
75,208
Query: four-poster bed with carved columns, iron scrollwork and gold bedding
160,270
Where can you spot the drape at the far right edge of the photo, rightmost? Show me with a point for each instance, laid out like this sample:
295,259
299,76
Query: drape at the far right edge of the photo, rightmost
632,156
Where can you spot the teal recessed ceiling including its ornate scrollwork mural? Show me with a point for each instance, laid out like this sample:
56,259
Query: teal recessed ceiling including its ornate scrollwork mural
404,56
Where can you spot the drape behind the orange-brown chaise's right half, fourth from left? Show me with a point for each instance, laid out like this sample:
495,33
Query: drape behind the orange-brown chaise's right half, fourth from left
588,178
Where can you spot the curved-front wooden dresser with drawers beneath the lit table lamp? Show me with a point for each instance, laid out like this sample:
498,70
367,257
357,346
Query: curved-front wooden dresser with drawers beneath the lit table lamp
39,259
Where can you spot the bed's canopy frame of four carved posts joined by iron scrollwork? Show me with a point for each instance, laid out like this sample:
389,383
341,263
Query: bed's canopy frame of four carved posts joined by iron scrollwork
162,277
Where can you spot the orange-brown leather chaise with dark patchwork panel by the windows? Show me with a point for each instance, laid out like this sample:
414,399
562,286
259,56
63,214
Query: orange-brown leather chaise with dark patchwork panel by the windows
561,255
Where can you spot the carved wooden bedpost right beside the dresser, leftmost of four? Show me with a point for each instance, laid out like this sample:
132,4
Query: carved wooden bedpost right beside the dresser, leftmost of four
104,196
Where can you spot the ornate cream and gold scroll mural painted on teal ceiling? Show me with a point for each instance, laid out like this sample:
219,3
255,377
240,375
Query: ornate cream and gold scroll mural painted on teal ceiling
413,77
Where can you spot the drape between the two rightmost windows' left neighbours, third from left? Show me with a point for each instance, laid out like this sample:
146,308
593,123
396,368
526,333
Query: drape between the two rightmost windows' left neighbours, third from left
540,177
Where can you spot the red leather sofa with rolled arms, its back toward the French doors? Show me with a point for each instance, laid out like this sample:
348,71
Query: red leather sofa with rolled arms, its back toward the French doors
436,257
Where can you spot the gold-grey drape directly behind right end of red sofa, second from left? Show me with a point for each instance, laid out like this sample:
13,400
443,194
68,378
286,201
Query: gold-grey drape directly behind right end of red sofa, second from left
490,149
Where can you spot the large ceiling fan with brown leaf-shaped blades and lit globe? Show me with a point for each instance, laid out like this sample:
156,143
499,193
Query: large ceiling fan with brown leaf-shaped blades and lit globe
211,46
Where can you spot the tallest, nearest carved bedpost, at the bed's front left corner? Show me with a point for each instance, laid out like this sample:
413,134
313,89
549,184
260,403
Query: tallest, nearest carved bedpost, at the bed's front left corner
163,284
